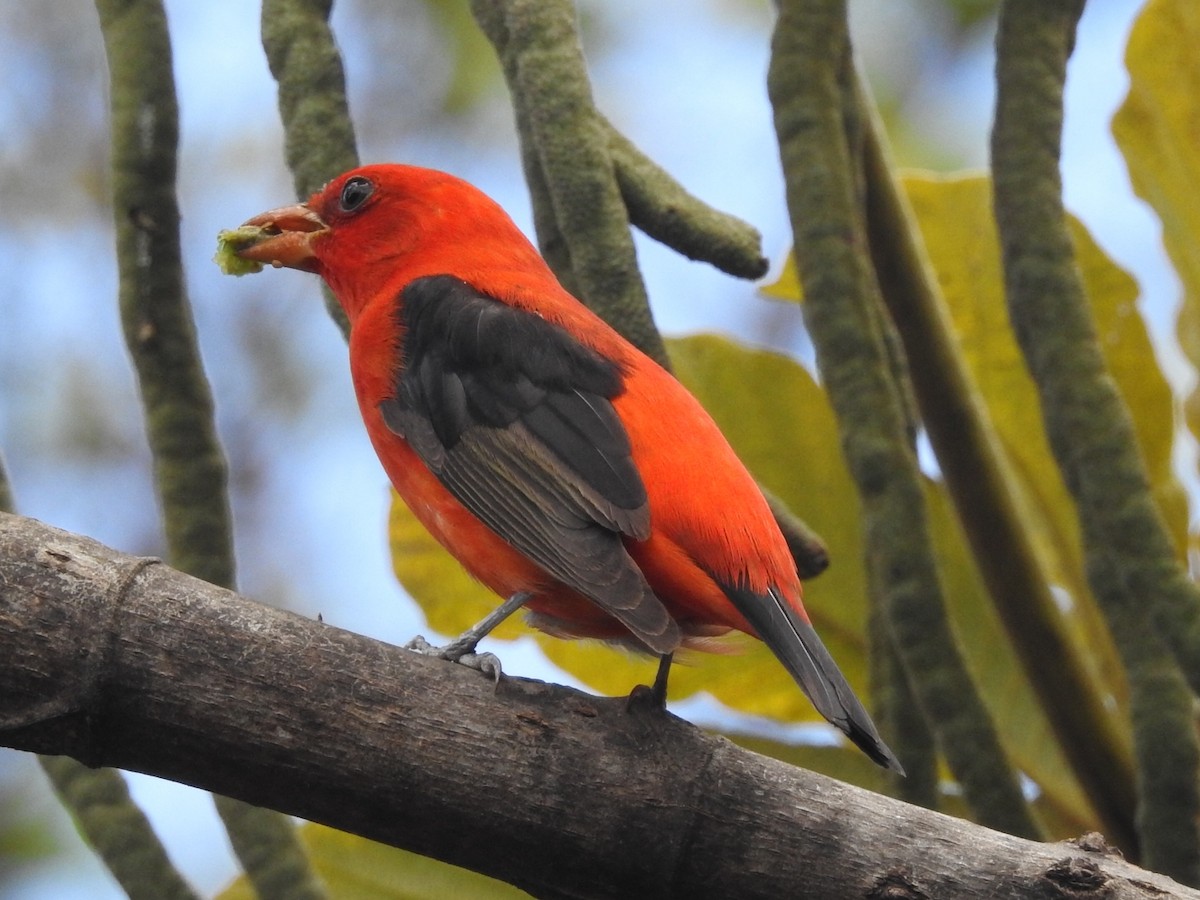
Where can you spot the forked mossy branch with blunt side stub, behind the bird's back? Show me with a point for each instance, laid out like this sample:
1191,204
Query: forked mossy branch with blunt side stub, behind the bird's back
587,183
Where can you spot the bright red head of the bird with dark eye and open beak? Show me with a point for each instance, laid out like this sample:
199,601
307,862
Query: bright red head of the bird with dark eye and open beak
376,229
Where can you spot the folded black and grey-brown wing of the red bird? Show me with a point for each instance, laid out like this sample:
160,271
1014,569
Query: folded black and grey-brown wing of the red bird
514,416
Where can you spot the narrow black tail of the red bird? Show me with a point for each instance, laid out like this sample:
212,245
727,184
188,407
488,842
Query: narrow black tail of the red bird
796,644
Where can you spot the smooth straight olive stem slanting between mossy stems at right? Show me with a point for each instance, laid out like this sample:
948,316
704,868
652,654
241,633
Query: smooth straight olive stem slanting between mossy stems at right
967,448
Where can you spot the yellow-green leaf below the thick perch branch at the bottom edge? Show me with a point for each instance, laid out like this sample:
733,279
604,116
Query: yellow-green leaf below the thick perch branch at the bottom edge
358,869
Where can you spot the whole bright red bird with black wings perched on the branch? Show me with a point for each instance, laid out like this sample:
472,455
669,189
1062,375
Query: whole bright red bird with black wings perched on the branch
560,465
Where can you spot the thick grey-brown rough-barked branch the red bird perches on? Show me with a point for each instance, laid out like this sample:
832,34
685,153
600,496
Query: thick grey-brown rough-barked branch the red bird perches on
123,662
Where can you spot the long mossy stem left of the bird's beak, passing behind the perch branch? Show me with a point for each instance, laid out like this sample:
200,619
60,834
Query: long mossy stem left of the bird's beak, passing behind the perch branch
190,467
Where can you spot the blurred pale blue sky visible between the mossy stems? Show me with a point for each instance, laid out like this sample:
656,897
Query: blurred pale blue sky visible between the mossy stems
683,79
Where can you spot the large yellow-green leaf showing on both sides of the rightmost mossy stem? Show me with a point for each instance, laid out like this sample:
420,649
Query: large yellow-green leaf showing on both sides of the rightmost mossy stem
956,220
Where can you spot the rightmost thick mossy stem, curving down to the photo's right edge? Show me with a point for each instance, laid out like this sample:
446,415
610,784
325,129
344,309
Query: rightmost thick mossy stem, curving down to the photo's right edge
1087,419
